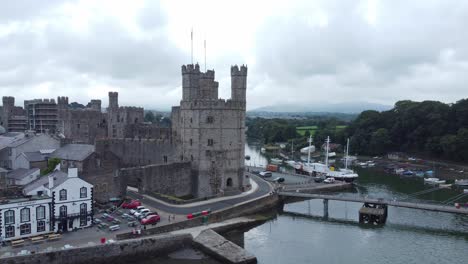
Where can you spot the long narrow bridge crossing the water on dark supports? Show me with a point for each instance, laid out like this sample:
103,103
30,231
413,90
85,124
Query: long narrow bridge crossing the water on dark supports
374,210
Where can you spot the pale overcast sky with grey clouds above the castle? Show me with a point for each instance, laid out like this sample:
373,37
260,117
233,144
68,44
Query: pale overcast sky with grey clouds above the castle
297,52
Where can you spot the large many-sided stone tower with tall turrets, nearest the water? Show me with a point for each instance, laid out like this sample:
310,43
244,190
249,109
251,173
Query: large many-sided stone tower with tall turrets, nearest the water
211,131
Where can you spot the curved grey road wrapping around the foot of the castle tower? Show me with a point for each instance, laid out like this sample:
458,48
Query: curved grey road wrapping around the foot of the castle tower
263,188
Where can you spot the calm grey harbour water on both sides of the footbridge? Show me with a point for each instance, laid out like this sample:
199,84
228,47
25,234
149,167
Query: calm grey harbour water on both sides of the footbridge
302,235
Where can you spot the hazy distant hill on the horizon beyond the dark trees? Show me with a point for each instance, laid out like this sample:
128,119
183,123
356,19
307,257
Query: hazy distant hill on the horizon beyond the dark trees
347,107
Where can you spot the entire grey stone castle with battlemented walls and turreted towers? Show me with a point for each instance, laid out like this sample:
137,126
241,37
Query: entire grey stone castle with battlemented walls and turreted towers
201,154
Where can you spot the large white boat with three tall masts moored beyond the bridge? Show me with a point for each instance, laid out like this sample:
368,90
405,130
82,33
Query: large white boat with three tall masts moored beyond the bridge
320,169
